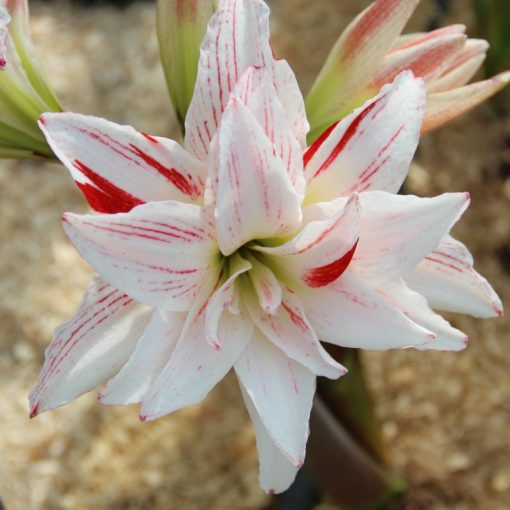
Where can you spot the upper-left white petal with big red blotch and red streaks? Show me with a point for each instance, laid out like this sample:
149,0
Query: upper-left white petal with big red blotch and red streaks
118,168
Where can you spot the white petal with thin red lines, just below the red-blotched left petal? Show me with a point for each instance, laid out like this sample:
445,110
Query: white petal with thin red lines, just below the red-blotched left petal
160,253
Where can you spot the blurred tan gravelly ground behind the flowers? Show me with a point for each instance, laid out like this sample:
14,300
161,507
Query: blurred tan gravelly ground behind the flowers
446,417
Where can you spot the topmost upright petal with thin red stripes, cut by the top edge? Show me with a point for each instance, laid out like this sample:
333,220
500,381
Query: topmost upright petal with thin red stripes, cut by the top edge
237,38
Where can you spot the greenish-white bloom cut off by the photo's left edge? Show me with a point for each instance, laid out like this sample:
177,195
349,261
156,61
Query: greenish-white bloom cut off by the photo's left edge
24,90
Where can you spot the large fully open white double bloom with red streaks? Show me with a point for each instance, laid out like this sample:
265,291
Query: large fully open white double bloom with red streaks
245,248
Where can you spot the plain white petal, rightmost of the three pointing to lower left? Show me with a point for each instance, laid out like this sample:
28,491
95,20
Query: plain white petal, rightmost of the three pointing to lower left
194,367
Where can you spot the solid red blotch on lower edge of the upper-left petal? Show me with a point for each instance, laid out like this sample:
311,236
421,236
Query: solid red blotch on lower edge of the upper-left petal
105,197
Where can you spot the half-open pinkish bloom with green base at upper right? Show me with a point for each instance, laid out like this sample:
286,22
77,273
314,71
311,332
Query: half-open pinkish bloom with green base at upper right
370,52
